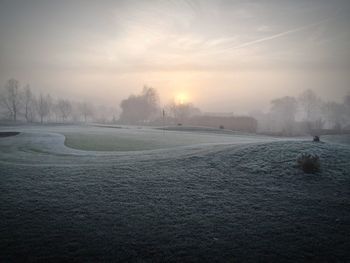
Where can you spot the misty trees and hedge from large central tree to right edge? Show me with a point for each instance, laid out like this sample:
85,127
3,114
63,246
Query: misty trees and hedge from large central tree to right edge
305,114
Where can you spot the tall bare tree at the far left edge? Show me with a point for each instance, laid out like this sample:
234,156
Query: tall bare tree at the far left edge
11,98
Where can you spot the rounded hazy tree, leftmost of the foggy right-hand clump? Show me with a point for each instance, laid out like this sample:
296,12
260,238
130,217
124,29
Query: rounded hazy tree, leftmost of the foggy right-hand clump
283,111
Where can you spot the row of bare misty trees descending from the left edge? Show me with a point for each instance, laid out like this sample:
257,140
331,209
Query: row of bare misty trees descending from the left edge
21,103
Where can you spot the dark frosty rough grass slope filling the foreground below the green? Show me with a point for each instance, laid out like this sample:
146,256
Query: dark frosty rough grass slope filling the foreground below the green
248,205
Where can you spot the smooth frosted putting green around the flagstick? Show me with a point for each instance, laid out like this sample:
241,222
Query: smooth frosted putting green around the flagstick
139,139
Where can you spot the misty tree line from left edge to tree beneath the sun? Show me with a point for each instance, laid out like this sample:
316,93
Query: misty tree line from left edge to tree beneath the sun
20,103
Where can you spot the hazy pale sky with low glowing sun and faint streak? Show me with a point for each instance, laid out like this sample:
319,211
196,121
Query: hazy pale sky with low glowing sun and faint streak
224,56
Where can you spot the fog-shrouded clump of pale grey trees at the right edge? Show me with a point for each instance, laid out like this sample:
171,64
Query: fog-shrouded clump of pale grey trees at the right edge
307,113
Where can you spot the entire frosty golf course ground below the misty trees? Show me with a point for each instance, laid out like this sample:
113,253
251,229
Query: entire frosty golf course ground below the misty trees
148,195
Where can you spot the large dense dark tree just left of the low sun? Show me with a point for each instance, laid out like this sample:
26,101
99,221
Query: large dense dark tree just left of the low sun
140,108
